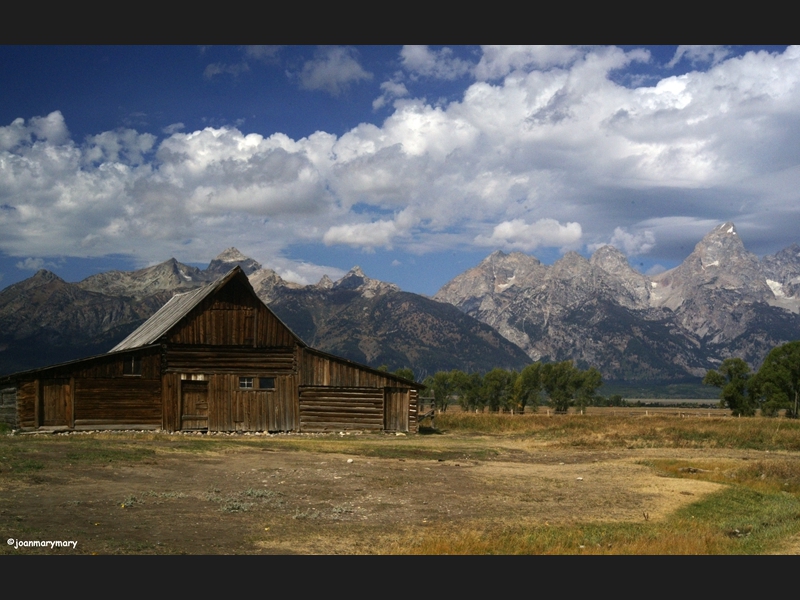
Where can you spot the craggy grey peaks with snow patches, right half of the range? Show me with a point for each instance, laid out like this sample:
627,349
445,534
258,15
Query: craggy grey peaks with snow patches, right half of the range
721,301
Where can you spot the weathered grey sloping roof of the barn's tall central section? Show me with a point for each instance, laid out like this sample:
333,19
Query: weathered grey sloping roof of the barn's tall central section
177,308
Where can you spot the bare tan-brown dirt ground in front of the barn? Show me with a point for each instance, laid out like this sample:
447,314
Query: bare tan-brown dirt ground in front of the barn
266,497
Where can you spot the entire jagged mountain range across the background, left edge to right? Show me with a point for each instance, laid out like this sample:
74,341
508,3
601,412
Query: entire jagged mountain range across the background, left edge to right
507,311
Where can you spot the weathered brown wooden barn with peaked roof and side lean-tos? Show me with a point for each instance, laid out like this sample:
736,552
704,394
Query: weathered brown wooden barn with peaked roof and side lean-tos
213,359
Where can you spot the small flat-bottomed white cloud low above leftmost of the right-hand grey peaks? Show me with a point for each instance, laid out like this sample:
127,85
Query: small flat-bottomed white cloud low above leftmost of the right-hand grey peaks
519,235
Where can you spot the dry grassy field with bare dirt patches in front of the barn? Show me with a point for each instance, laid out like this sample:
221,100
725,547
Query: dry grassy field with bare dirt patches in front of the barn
614,481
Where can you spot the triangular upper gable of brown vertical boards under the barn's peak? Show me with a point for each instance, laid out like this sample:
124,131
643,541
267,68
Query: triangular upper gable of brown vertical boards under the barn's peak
232,317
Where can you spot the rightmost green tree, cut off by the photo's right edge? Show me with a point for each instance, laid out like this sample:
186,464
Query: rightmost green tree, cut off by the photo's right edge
777,383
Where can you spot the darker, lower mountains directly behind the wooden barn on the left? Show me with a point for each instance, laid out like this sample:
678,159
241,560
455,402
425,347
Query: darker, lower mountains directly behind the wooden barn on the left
46,320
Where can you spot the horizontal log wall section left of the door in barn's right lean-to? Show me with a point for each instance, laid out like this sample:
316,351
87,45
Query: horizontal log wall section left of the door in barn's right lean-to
336,409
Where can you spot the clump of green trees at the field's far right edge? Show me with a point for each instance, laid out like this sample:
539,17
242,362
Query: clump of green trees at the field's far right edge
774,387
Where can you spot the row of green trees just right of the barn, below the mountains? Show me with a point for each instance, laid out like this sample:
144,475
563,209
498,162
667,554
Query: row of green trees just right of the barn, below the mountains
500,390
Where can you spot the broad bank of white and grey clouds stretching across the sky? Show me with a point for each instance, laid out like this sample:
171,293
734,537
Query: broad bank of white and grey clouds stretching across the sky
544,149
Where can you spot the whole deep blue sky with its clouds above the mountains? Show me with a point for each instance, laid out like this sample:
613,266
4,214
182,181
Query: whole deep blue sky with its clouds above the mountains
413,162
